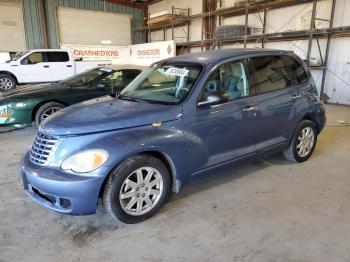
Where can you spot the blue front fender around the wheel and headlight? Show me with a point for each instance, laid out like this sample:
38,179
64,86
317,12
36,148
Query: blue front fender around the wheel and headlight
164,142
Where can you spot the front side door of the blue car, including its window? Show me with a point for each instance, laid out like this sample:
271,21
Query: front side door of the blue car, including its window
223,132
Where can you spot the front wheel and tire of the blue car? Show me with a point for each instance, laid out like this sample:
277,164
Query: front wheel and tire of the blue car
126,209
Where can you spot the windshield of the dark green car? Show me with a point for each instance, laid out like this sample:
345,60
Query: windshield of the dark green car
87,77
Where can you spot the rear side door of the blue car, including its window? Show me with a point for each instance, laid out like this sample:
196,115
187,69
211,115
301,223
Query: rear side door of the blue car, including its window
274,82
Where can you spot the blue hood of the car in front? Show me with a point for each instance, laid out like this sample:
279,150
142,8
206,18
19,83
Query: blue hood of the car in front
107,113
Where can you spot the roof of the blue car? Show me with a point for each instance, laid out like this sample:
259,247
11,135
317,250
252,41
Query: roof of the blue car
215,56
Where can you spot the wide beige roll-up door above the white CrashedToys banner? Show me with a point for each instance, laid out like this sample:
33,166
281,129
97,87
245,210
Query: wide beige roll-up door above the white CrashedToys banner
76,26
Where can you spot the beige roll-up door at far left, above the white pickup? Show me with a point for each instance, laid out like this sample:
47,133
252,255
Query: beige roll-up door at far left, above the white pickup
12,37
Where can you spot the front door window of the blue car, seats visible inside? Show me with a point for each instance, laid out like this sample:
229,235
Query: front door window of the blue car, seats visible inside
230,78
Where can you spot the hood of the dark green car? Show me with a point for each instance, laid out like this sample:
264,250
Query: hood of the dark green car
28,92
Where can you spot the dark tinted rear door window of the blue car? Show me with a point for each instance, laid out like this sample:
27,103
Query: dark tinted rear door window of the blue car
270,73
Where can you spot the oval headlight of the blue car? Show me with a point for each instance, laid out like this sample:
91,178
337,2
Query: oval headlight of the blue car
85,161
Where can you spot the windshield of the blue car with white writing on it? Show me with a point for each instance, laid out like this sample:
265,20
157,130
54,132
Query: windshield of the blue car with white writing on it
163,83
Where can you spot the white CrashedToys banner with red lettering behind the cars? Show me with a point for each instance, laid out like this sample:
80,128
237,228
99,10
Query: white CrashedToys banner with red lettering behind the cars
141,54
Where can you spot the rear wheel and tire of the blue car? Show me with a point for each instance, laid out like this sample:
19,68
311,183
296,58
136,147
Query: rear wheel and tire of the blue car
294,152
